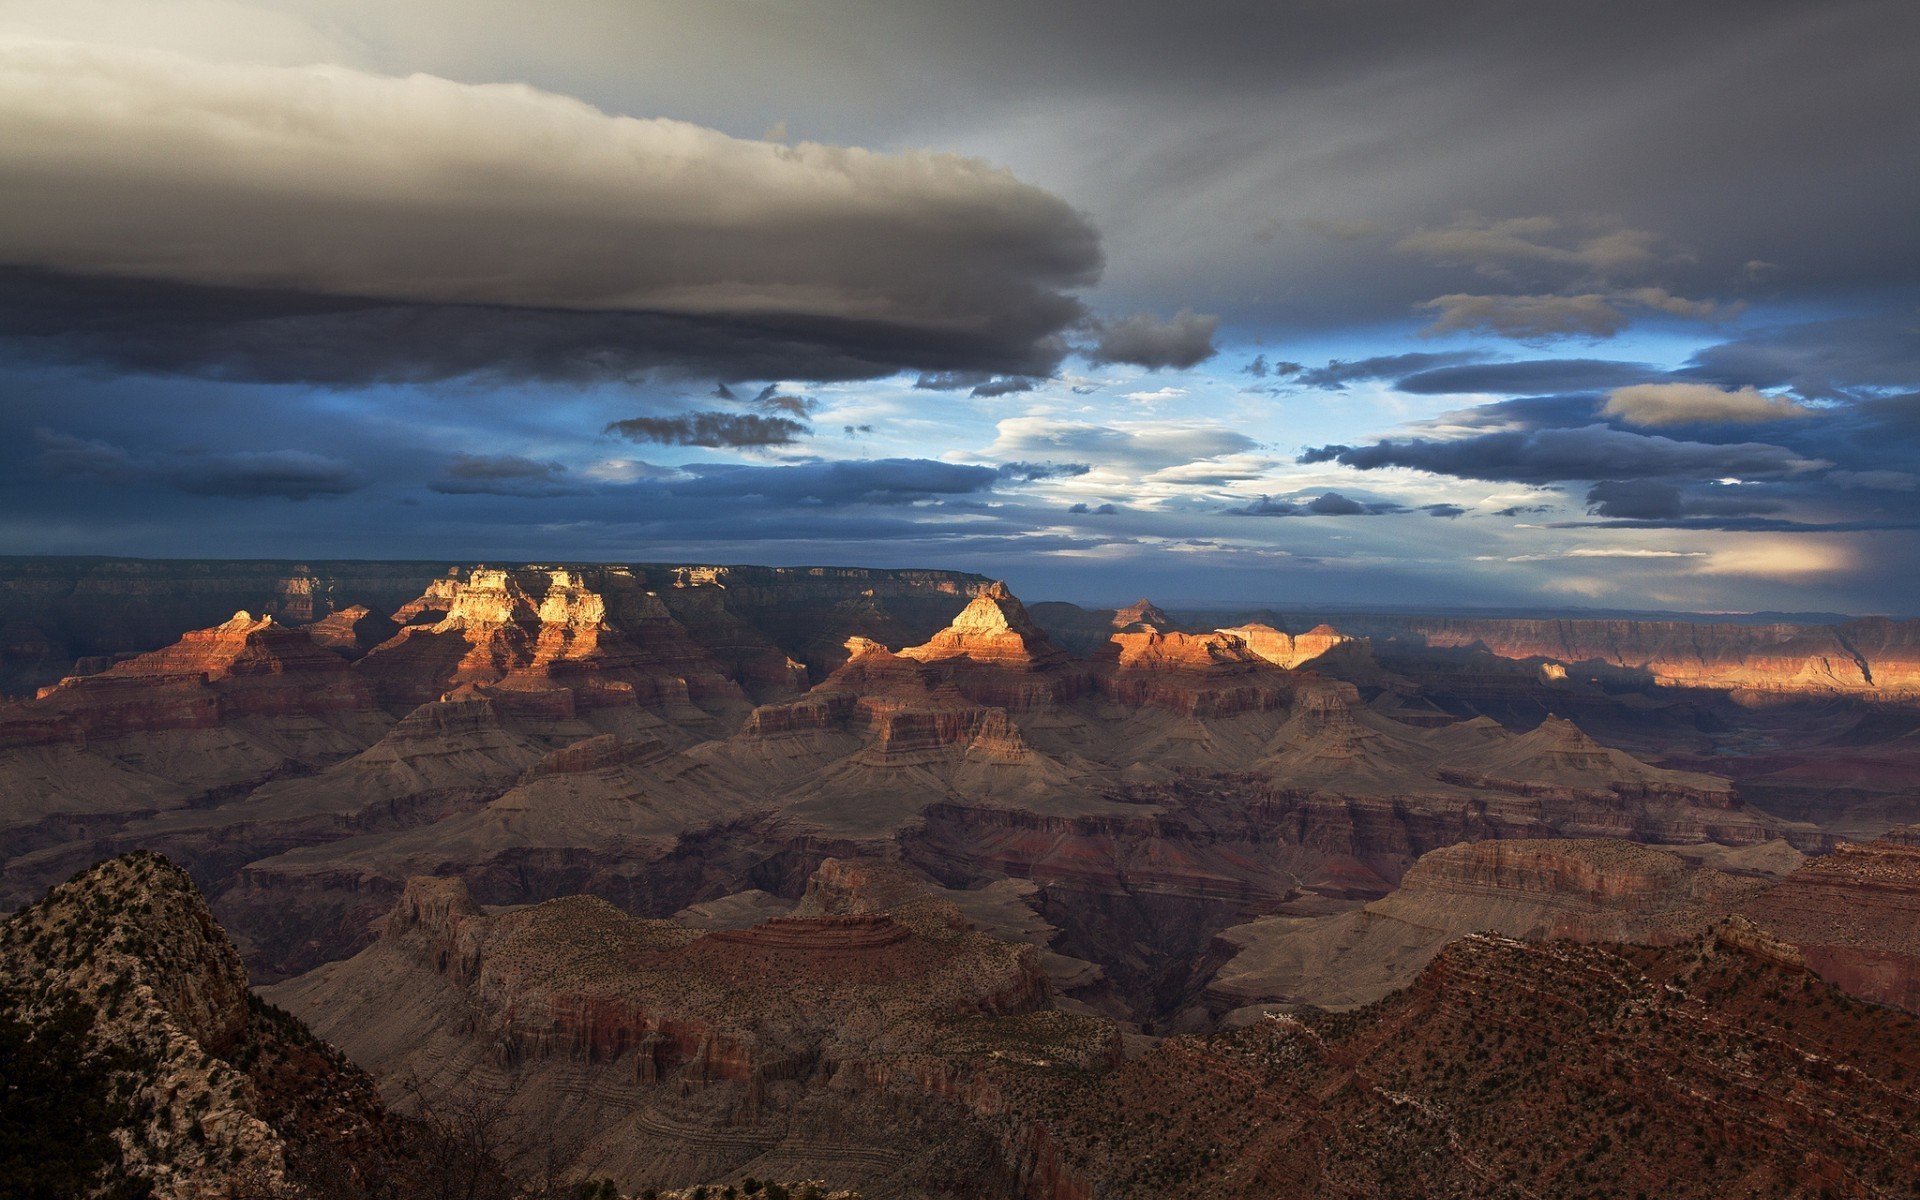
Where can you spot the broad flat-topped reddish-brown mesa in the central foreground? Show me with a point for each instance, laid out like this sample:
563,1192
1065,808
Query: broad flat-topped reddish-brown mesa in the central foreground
848,1042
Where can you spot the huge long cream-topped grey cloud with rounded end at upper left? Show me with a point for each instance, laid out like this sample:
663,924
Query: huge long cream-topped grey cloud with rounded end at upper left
350,199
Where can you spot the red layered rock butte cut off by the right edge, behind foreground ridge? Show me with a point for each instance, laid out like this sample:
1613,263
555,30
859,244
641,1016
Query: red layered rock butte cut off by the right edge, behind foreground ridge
1856,919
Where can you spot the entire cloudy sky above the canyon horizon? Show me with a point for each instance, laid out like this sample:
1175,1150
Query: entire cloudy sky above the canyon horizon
1351,302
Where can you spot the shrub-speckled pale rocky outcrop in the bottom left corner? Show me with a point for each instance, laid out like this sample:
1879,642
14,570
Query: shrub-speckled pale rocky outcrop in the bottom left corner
208,1093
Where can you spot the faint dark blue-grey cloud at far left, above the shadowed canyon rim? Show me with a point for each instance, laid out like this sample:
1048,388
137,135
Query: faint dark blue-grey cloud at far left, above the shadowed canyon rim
252,473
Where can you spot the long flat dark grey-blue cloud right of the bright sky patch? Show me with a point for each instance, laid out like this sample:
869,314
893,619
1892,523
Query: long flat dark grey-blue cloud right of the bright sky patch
1550,456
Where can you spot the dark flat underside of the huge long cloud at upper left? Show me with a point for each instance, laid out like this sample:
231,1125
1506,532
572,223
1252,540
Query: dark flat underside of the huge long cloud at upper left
285,337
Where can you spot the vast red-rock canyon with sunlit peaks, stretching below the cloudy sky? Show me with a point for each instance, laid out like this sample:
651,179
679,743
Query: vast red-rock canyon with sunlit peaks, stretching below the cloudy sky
888,882
